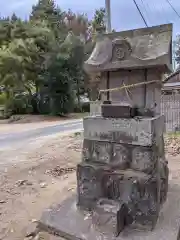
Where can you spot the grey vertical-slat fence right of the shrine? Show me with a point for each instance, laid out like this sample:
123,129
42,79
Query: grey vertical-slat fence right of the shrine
170,108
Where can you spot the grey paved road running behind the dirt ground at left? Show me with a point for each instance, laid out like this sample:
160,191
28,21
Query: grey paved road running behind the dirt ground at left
8,139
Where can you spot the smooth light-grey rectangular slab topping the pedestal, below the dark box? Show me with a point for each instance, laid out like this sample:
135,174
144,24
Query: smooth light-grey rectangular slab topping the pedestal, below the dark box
135,131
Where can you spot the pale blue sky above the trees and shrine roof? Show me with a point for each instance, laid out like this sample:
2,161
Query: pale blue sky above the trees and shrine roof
124,14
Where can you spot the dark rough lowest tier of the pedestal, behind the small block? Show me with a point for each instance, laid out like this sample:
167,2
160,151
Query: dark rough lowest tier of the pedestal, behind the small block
141,192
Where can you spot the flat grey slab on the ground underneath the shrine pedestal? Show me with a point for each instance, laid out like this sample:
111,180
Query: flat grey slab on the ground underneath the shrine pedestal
66,221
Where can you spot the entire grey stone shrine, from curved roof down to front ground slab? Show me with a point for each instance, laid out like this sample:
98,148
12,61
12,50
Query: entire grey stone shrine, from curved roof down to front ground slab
123,176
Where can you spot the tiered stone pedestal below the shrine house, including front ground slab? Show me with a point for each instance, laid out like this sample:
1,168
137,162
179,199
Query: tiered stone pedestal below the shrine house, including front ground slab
122,180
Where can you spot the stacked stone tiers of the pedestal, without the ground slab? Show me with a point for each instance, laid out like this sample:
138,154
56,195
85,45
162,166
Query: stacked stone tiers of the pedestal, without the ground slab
123,162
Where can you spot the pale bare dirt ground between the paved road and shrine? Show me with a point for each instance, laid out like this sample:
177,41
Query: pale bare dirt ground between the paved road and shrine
28,187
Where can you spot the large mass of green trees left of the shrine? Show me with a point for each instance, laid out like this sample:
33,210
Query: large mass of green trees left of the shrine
45,55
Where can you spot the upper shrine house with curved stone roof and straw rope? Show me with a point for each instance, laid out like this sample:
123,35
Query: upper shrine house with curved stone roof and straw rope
131,57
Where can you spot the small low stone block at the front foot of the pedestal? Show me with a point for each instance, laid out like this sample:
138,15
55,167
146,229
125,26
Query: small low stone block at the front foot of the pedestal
110,216
